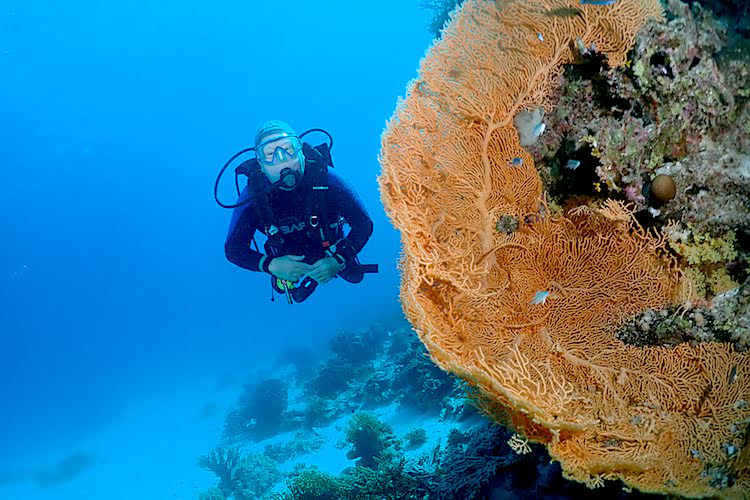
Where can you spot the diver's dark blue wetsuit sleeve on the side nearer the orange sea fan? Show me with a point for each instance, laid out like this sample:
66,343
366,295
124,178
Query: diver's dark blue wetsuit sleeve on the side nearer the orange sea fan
353,211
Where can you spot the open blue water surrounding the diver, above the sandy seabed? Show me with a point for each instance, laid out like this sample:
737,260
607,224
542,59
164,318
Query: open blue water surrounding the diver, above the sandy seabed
114,120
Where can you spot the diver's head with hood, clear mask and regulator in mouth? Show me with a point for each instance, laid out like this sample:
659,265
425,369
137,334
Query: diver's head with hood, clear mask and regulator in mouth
279,153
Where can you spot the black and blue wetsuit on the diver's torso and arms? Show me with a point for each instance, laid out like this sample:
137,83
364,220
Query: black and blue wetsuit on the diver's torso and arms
343,206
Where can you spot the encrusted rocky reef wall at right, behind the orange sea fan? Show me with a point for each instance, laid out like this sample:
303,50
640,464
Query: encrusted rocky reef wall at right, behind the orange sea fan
631,132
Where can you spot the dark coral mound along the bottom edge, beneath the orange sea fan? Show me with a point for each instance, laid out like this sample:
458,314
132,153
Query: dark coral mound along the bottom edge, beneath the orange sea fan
477,463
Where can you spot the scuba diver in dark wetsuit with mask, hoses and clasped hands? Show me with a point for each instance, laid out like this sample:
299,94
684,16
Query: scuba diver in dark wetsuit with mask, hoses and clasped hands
301,206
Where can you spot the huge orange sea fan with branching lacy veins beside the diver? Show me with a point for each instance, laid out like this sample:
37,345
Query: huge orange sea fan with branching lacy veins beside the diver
528,314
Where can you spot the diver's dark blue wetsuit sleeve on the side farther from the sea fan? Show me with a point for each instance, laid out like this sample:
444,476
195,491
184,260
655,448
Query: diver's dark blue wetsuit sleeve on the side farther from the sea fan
238,247
